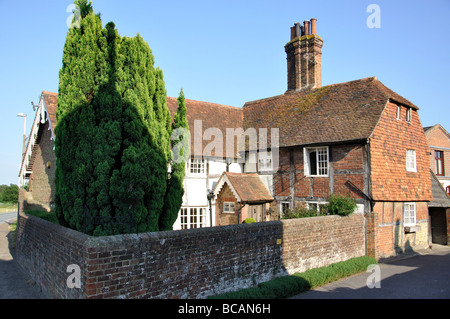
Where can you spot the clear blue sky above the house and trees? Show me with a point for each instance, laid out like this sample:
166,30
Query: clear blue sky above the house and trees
231,51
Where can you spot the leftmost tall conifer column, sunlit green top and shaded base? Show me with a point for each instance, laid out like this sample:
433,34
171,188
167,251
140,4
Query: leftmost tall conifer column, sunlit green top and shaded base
83,71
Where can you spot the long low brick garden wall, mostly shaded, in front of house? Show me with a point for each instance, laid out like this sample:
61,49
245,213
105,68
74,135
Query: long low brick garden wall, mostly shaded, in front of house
192,263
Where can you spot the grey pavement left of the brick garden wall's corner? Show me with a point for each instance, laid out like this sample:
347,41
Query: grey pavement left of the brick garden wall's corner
14,282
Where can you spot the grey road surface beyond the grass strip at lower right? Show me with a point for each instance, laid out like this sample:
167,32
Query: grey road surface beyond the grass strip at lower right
425,276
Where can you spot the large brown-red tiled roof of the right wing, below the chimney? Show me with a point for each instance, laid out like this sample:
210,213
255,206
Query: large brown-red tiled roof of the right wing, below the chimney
334,113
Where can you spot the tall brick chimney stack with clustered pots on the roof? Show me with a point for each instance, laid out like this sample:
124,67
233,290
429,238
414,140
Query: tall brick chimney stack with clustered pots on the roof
304,56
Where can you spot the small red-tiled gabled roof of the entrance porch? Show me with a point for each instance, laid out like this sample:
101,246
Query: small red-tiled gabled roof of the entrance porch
248,186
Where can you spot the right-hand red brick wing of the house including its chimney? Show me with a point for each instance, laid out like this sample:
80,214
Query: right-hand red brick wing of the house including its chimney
357,138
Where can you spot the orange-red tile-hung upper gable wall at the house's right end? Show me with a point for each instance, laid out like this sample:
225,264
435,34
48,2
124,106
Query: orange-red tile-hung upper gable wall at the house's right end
391,138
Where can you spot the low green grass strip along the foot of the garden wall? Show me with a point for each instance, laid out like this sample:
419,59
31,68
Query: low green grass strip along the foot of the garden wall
288,286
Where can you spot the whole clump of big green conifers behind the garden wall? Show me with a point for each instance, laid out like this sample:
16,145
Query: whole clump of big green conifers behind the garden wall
113,131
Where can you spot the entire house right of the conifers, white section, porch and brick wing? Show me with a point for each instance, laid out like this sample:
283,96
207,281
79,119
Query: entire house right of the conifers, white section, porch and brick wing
357,138
